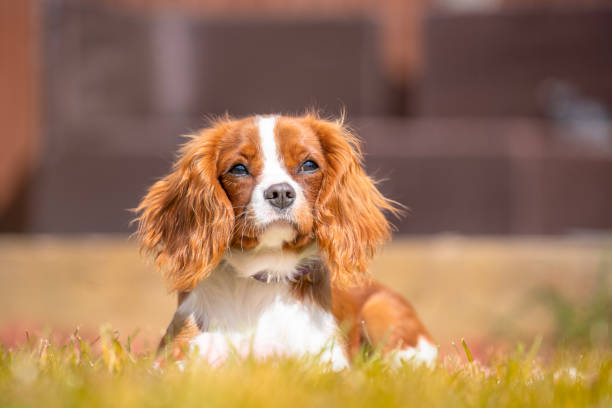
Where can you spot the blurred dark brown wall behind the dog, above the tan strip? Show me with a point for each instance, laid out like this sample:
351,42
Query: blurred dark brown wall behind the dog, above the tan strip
493,118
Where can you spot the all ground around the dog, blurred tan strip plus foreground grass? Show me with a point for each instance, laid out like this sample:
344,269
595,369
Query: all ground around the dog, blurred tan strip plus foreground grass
497,293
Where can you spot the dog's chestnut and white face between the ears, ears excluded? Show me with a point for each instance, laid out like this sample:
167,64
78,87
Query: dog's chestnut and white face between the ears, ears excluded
272,171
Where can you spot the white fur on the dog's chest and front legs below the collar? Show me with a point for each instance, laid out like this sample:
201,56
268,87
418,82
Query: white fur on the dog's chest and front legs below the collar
237,312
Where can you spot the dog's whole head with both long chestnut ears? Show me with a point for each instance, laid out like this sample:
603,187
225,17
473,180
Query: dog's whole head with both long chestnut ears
264,181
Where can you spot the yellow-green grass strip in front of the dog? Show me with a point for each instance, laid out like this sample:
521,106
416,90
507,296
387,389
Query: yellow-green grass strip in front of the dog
106,373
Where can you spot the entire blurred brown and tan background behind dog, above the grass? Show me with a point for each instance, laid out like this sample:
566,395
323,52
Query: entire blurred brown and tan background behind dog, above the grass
489,119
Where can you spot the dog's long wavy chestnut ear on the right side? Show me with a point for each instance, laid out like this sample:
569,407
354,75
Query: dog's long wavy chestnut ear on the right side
350,224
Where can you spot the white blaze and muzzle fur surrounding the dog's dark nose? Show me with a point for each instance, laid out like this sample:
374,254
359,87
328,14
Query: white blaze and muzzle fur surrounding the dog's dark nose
274,172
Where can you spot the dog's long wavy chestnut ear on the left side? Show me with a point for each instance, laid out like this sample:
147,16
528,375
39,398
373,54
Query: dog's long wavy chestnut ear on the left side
185,221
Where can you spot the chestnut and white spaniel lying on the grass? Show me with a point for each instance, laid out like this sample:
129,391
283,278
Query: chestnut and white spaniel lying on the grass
264,229
